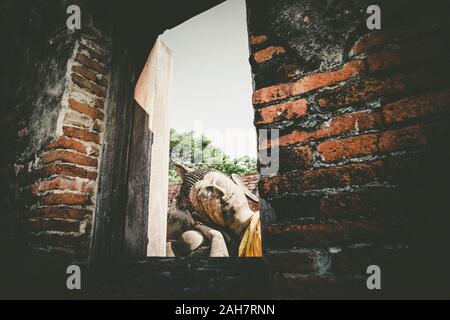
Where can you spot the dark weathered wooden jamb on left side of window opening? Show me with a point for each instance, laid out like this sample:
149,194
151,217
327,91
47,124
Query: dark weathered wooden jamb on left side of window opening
121,213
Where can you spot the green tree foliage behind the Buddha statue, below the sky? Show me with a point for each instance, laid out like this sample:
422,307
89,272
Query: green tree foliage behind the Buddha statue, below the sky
199,152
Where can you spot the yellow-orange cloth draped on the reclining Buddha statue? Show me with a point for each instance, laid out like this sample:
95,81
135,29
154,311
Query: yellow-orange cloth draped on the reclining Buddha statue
251,244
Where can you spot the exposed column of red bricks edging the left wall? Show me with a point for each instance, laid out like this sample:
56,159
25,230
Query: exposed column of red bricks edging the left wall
64,174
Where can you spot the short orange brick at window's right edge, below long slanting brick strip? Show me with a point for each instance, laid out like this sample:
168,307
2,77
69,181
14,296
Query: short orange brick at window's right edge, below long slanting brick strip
281,112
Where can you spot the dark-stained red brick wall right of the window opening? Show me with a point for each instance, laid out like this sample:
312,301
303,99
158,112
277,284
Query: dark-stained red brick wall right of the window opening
363,158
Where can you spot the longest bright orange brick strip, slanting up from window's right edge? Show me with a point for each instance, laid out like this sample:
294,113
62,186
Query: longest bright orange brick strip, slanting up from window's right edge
308,83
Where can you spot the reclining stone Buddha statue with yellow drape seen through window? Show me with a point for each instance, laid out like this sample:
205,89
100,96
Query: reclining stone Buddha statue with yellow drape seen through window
212,216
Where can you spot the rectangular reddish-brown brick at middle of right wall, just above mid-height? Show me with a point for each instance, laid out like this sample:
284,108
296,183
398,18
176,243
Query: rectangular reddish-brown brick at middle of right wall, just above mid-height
351,147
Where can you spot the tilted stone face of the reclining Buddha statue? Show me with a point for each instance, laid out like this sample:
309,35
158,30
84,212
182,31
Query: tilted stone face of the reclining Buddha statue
218,199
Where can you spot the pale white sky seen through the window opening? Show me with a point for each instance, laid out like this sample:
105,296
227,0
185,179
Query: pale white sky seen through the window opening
212,85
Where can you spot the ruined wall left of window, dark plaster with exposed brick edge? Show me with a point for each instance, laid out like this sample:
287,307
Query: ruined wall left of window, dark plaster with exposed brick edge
54,97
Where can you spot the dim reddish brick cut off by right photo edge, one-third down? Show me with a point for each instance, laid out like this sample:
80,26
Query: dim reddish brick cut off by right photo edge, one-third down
417,106
